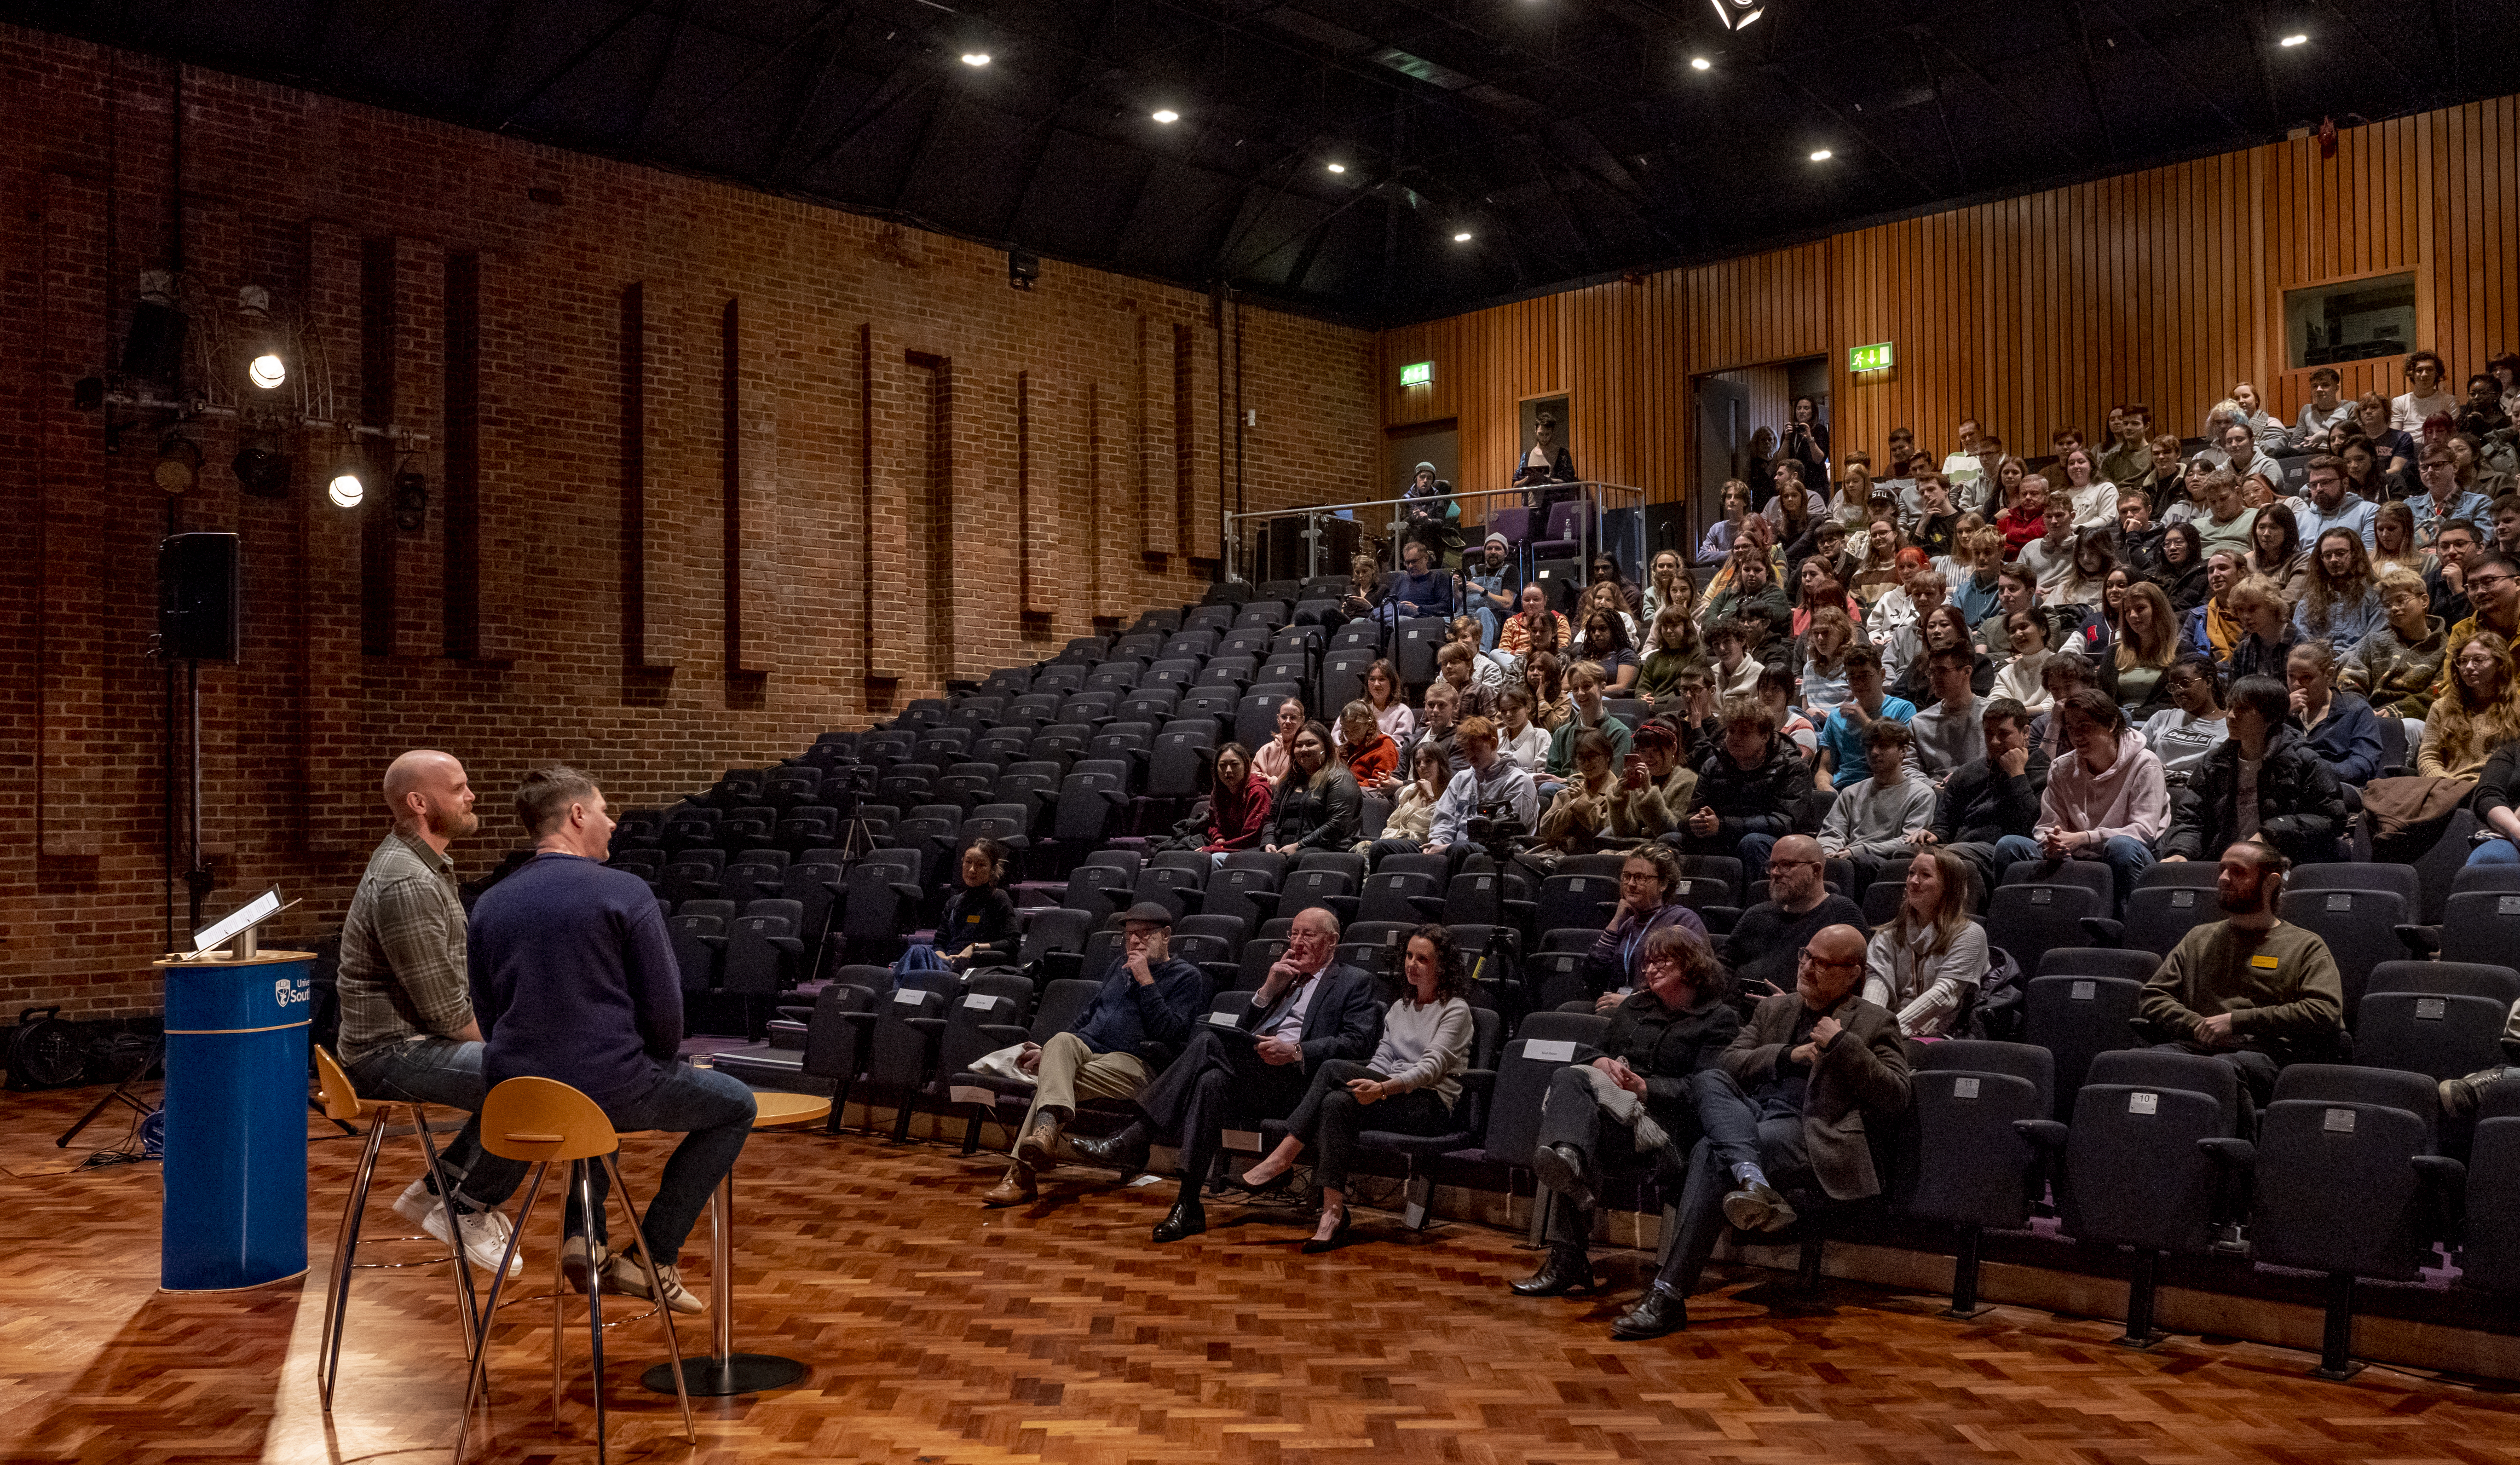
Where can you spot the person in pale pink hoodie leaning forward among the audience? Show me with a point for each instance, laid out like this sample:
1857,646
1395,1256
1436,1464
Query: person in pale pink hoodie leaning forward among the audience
2105,798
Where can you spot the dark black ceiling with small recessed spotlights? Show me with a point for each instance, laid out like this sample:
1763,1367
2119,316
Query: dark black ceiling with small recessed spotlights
1569,137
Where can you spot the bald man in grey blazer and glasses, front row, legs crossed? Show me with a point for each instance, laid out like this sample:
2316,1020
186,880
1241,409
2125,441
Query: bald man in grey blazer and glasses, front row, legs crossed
1785,1111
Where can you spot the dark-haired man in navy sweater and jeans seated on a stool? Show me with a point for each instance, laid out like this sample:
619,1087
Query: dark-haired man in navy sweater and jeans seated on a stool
573,980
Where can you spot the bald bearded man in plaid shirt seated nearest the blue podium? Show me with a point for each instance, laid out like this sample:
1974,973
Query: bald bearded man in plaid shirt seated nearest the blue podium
407,1025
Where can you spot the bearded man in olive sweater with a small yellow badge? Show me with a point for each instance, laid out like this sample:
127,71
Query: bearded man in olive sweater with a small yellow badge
2249,990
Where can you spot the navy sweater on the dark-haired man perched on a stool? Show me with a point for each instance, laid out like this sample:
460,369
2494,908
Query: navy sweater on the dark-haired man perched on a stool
573,980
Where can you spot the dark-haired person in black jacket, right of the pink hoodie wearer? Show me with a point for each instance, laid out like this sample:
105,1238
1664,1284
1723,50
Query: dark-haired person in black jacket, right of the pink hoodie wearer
2264,783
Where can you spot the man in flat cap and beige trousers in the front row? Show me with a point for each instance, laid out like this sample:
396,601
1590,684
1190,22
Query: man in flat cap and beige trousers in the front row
1148,997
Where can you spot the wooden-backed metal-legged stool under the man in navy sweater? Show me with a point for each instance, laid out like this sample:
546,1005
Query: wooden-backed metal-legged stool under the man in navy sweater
548,1121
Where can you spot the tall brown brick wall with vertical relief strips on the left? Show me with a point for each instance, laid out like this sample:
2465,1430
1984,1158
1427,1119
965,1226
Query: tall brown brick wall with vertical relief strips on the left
891,397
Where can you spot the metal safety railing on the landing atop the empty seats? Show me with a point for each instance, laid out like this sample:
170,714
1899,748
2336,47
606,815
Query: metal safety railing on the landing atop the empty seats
1307,541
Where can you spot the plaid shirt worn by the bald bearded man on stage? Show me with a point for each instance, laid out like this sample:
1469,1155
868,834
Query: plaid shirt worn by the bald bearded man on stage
402,952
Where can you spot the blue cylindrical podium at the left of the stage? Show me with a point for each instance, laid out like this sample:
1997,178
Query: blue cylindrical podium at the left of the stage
236,1121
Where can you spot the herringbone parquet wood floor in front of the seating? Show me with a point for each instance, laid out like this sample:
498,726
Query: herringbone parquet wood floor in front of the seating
949,1335
